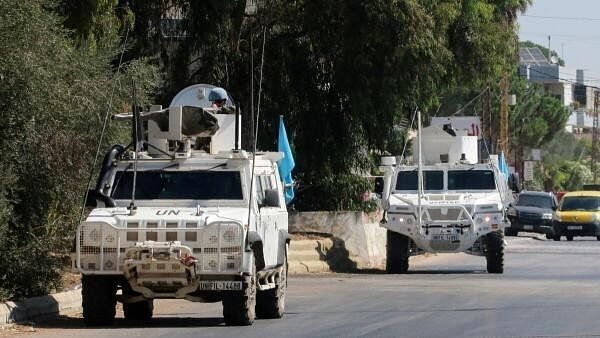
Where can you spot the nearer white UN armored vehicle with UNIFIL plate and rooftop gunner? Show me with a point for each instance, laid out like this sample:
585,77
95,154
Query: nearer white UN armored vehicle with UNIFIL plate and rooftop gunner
184,213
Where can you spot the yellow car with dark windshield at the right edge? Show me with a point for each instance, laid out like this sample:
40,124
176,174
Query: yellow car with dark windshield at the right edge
578,214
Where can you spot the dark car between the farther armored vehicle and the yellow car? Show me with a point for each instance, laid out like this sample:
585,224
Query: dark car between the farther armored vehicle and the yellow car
533,212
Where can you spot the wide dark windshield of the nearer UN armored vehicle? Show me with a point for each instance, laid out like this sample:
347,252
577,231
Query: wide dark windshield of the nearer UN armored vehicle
179,185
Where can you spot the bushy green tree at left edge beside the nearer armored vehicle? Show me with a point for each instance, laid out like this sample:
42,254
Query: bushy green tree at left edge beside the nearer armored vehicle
53,100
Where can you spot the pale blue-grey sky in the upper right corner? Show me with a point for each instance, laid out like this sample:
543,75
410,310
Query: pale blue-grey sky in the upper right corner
574,29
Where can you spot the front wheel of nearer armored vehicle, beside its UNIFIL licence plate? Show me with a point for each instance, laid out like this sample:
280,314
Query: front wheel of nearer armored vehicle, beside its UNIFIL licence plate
239,307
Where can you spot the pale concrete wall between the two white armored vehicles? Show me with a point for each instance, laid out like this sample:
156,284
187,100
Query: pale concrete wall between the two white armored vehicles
358,232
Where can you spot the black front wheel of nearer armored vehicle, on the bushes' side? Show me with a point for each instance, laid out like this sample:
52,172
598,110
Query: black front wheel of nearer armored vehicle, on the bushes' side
99,298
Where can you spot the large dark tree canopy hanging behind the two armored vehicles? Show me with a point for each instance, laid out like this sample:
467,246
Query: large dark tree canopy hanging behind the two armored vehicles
344,74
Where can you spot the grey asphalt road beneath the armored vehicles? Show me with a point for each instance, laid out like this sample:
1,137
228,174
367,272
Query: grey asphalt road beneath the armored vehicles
548,289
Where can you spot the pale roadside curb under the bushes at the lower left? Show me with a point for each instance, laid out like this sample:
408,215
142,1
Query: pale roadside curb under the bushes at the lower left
43,307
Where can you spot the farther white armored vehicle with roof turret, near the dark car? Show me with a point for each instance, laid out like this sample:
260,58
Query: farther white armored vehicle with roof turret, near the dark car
447,203
